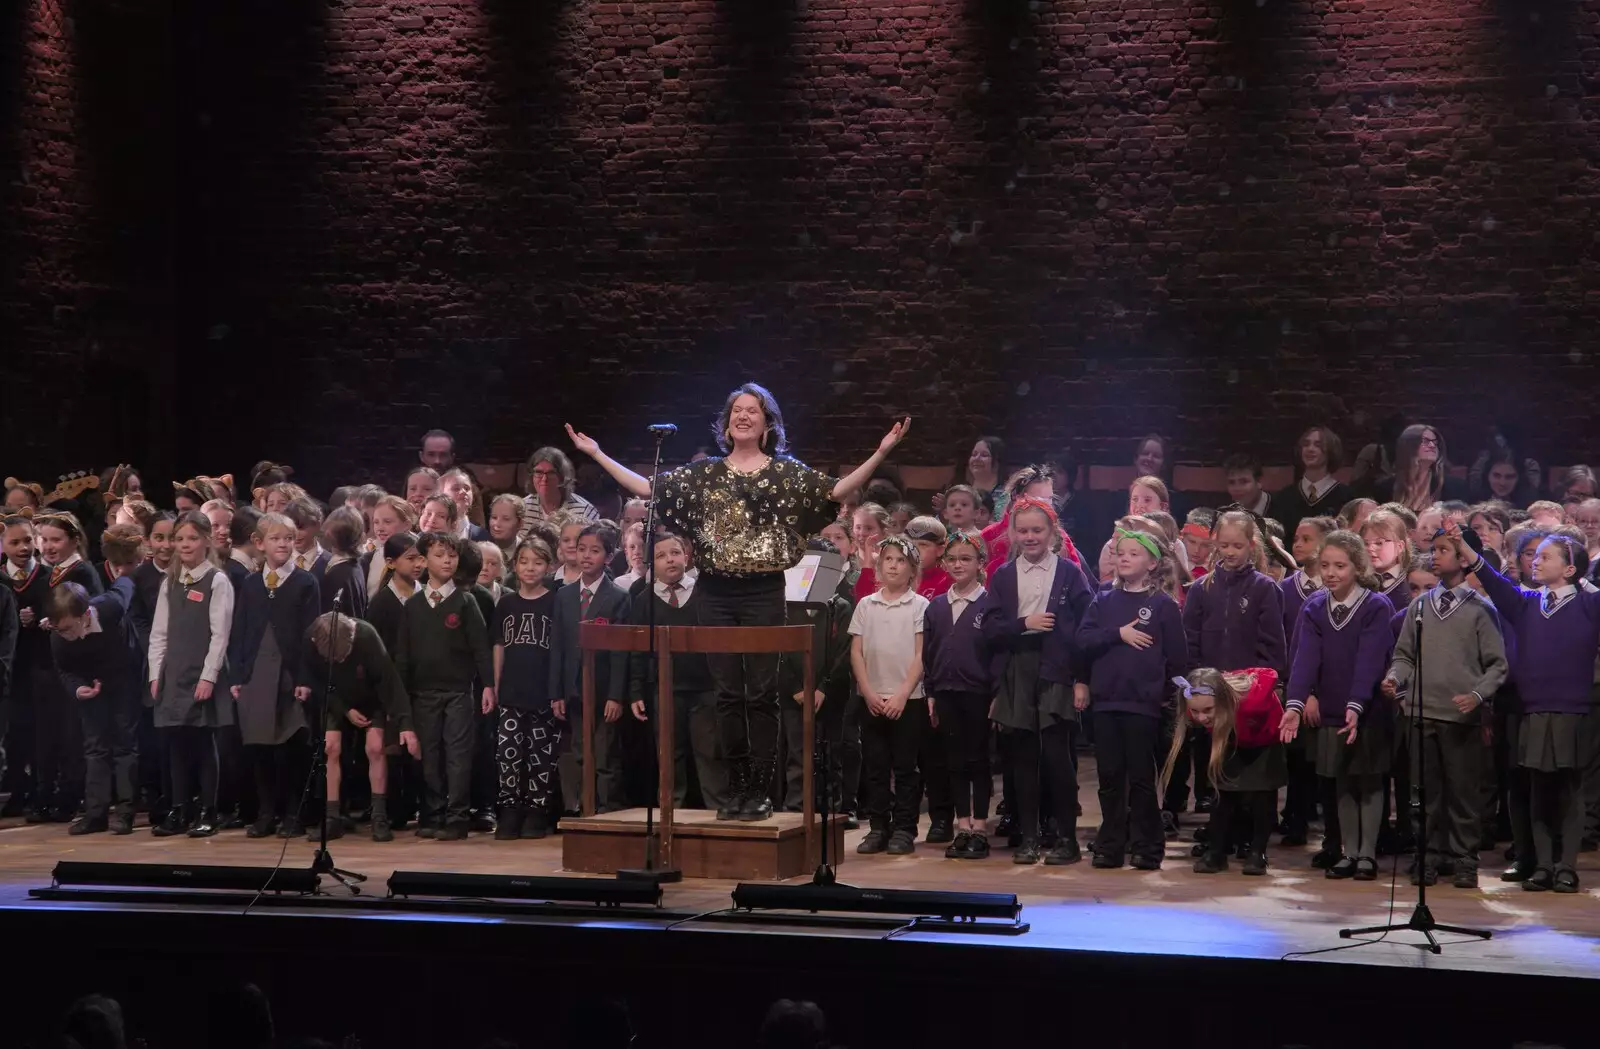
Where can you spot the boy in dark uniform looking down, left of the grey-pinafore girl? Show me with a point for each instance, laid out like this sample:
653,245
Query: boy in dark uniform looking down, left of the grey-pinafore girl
98,658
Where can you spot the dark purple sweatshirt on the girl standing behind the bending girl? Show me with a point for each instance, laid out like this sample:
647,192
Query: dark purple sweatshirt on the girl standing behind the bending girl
1236,621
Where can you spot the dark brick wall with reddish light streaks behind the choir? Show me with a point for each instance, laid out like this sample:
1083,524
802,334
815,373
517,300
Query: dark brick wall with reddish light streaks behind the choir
313,229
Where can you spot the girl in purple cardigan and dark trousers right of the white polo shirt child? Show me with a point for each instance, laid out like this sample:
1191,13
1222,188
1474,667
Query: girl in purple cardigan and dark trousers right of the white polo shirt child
959,679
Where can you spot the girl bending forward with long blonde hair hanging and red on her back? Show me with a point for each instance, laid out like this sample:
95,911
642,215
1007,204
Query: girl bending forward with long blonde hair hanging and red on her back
1246,760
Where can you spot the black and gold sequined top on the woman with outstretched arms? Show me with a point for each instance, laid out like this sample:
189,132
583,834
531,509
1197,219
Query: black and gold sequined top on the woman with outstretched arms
746,524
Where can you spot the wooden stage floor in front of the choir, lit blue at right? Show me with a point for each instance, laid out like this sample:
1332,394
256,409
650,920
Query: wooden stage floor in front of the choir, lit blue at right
1292,911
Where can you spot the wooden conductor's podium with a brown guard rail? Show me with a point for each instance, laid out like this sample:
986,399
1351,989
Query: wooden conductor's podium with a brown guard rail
700,845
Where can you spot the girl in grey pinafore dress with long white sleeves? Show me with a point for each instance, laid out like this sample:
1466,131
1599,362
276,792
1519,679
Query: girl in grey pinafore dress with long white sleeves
194,618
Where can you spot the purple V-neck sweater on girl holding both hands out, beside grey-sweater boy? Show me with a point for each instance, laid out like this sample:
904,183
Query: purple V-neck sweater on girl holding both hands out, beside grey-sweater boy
1342,666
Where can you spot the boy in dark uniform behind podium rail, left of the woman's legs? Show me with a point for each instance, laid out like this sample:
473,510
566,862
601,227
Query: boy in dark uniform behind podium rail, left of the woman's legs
694,698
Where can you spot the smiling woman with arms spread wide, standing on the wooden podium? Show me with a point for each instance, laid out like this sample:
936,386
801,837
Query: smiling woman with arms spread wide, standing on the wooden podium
750,516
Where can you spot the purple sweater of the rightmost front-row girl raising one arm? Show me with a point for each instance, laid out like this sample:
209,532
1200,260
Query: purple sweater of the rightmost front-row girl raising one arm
1554,656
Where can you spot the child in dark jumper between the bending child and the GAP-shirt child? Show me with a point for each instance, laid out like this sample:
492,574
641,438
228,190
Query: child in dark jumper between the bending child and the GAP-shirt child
444,647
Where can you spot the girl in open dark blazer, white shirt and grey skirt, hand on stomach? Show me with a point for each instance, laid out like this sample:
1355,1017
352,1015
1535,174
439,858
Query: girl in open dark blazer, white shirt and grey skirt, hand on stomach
1039,600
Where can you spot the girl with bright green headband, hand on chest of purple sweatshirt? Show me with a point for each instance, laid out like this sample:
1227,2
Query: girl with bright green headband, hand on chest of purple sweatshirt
1134,645
